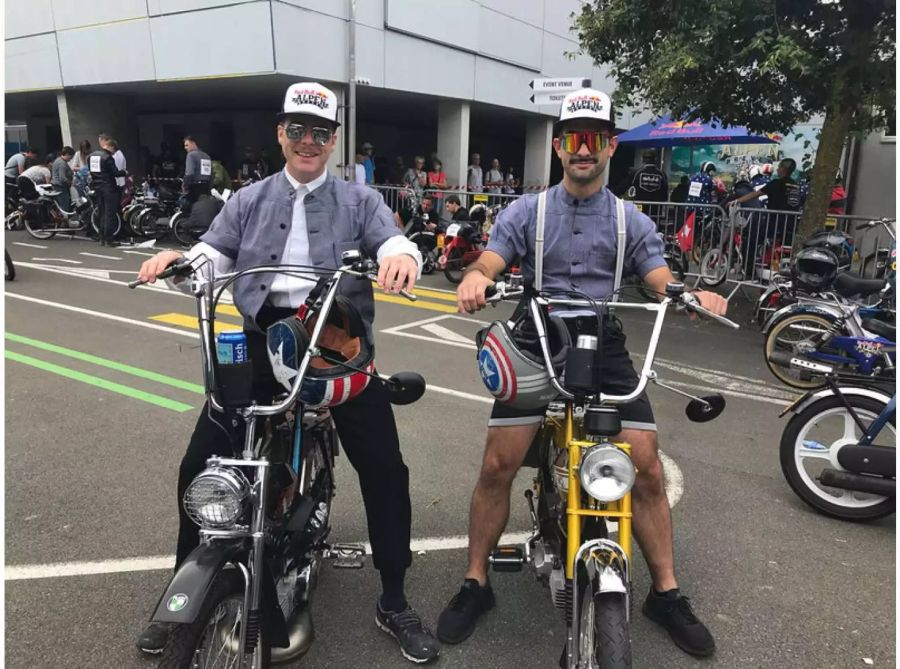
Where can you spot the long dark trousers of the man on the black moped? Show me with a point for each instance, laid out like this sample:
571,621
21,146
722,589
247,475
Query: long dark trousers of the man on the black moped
368,436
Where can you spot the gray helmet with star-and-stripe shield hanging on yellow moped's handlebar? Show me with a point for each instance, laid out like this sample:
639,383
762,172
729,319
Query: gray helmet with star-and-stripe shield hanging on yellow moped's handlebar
511,364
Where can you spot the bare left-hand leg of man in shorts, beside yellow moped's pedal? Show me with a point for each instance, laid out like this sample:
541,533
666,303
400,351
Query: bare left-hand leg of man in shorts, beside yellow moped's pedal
503,455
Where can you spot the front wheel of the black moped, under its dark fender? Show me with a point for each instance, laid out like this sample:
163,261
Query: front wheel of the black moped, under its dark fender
213,640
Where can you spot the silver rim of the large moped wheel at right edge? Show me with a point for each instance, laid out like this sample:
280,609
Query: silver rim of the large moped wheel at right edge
817,447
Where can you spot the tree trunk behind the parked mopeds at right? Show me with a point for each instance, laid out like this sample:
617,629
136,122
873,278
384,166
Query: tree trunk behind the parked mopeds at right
845,98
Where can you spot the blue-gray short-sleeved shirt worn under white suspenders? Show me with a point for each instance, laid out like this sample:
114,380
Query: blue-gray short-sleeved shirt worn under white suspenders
579,241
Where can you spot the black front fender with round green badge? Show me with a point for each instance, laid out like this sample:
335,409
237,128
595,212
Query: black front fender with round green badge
183,597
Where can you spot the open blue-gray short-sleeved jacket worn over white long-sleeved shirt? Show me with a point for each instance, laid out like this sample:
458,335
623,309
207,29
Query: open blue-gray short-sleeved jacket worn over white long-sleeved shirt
253,228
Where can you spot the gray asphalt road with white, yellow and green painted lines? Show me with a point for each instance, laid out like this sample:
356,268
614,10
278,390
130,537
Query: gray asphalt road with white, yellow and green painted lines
91,471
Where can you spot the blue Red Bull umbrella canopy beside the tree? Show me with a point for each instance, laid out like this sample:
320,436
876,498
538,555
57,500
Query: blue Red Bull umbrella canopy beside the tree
664,132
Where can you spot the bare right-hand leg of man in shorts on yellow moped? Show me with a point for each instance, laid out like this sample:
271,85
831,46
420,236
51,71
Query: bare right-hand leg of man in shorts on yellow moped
652,516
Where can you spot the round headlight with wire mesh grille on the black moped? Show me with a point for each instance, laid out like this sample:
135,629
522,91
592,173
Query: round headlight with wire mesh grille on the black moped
215,499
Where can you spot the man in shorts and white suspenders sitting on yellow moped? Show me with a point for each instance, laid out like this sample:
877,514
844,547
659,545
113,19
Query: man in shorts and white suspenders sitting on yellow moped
580,254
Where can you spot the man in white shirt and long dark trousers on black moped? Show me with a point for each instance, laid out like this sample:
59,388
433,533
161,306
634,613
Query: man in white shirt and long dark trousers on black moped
304,216
